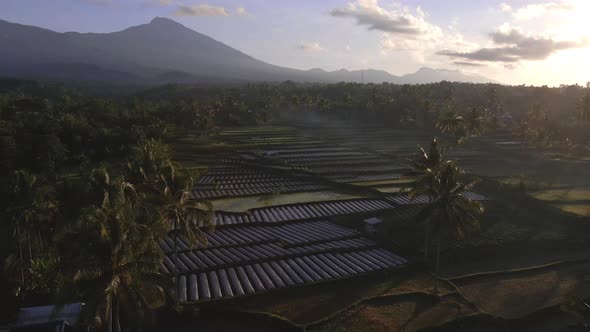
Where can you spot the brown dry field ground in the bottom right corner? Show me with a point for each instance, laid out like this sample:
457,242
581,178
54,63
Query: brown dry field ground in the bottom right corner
505,300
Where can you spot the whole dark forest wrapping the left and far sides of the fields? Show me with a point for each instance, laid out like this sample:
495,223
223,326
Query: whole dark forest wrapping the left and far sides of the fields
89,186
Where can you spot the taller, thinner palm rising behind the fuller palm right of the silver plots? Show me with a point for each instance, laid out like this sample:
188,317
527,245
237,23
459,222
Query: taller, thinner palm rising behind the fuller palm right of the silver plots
424,163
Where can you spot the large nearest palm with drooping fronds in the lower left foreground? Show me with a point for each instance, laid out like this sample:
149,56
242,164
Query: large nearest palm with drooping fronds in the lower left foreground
117,259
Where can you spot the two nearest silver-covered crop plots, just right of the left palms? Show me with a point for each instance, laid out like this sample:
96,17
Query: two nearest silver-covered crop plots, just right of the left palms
252,259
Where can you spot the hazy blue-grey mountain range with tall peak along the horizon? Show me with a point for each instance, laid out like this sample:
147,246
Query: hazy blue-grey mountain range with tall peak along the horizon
163,51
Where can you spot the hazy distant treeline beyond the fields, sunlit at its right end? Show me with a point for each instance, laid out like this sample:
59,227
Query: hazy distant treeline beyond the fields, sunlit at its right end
541,116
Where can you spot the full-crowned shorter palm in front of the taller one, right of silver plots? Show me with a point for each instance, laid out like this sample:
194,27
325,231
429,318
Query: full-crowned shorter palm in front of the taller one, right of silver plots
450,210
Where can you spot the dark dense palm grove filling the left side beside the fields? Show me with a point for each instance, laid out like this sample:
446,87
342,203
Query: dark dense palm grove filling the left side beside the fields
87,192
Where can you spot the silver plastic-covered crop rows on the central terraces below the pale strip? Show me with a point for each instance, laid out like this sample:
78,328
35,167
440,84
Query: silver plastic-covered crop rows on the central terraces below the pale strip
280,247
